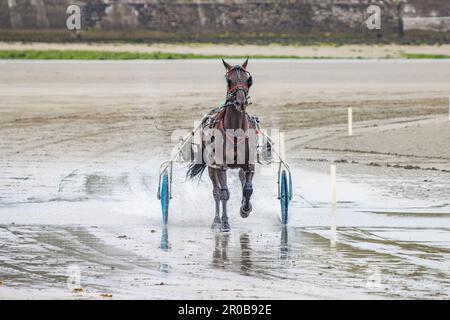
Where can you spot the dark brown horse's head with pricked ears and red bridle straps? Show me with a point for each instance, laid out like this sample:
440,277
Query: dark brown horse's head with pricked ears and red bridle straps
239,81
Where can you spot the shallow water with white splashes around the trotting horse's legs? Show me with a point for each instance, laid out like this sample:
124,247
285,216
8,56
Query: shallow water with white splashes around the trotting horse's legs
351,252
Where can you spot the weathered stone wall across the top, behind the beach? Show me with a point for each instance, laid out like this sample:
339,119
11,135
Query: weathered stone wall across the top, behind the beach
215,17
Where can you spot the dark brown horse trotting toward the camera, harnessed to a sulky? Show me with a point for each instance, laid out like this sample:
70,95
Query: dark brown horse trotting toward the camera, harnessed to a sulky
231,117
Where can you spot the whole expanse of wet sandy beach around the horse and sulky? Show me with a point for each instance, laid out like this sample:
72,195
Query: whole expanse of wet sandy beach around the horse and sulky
80,147
